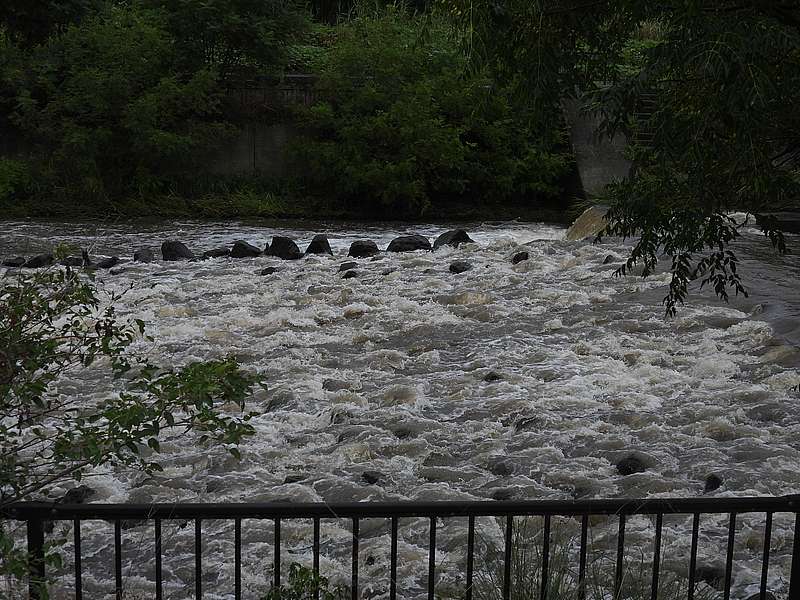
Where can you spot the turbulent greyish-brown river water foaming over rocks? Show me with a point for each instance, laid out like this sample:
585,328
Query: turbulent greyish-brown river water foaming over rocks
386,374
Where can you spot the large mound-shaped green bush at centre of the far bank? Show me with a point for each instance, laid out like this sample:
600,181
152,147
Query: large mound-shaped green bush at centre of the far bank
400,125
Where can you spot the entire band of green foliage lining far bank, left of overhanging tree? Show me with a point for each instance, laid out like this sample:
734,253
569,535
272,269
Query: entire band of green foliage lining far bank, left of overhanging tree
125,106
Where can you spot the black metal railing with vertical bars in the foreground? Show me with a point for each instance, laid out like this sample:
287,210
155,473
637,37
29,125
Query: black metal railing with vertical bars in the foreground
37,515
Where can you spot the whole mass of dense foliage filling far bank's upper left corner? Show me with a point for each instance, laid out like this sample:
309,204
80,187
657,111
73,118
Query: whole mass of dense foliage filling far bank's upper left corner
118,100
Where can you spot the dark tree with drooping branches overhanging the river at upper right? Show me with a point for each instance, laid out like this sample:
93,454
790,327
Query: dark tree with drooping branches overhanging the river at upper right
726,135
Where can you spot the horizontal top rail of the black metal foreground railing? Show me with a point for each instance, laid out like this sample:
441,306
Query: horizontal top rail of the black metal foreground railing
365,510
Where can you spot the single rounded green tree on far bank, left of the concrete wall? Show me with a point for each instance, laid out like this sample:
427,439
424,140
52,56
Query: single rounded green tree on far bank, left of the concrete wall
110,110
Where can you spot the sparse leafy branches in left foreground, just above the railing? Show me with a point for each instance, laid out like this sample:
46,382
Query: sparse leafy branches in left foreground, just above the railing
55,326
